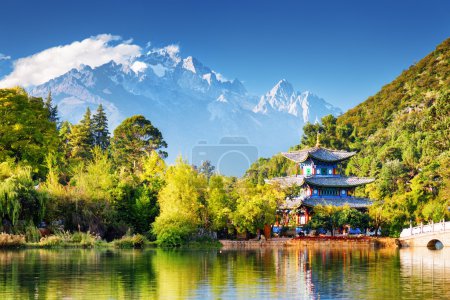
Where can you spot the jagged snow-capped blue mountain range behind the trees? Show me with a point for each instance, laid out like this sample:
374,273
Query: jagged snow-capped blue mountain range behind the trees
188,102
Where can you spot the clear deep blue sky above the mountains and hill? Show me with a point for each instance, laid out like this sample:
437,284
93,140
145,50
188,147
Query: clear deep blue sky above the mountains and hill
344,51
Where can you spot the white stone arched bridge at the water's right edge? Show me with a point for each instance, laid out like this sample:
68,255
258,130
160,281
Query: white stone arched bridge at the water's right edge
426,235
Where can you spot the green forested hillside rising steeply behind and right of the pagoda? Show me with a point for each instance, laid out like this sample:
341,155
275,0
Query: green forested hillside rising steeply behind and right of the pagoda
402,136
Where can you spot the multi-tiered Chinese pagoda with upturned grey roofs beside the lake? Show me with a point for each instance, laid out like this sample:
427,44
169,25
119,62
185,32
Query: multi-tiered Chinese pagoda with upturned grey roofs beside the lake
320,182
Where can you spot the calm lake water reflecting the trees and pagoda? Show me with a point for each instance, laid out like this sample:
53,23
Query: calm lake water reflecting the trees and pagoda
269,273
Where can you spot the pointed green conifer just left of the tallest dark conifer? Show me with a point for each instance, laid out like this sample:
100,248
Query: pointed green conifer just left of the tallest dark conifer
81,139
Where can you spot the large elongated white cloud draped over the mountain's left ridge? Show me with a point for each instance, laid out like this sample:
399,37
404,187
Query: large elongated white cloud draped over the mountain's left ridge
53,62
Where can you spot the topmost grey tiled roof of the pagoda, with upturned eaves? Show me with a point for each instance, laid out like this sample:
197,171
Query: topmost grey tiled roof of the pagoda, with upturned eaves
318,153
